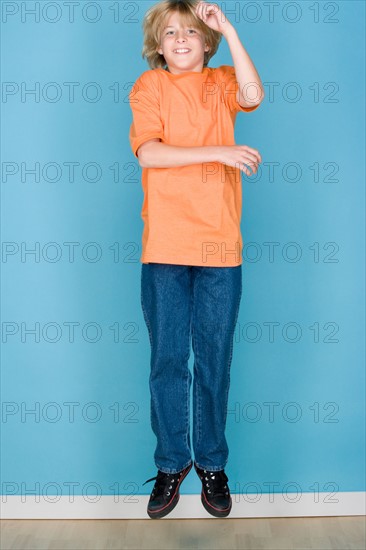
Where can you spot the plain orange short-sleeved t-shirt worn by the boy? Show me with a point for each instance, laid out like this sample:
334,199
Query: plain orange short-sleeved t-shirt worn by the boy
191,213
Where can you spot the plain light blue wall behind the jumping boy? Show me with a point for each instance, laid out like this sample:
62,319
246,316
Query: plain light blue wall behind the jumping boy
311,208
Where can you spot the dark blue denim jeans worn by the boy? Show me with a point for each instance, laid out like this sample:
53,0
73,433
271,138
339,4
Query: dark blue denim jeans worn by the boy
180,302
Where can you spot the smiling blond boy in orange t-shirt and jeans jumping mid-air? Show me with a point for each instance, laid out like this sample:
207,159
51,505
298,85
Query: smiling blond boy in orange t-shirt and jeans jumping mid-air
191,280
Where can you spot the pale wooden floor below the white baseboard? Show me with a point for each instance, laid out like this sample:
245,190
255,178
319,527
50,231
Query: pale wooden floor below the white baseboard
317,533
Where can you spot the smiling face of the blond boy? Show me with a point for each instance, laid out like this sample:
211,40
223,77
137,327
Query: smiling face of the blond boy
183,46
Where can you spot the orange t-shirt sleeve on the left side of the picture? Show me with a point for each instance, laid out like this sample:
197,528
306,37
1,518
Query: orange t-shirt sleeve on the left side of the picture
144,102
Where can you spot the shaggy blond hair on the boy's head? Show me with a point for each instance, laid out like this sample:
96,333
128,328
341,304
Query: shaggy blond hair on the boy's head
154,21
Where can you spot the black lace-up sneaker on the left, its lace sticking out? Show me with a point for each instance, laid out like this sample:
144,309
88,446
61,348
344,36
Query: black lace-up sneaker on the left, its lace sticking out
165,494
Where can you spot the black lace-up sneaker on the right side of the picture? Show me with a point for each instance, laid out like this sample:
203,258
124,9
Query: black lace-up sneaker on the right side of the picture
215,495
